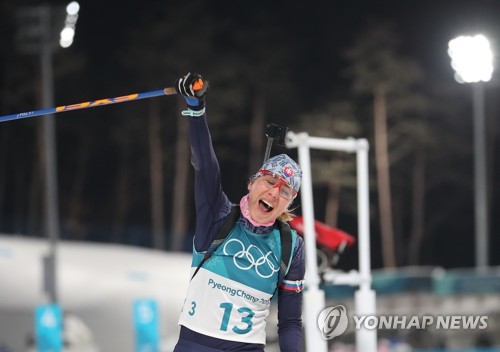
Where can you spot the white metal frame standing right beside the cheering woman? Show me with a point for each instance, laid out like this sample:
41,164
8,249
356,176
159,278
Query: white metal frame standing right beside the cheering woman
314,298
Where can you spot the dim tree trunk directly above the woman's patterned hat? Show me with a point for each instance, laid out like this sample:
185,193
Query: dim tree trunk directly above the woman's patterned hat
257,134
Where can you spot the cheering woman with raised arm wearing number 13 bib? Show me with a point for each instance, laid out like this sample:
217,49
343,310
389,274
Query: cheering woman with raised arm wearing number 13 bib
229,295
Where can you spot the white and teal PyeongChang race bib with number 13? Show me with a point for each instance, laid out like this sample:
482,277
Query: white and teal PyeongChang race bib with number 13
229,298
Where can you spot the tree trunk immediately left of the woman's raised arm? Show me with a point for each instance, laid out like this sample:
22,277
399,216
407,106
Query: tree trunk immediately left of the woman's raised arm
182,157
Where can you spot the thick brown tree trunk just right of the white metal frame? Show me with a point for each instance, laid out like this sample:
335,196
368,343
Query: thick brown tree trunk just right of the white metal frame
383,177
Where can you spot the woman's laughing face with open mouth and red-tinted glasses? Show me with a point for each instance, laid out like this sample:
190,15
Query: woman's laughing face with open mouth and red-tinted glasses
268,198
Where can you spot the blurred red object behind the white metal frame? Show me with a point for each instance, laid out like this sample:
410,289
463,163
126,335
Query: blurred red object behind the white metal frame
326,236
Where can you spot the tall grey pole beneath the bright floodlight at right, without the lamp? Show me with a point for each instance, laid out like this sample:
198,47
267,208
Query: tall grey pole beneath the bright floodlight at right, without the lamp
480,178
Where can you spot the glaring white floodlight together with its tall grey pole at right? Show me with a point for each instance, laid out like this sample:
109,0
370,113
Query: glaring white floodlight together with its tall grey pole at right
472,60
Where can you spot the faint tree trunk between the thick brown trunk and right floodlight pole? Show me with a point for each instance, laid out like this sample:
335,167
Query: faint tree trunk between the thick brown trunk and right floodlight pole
418,211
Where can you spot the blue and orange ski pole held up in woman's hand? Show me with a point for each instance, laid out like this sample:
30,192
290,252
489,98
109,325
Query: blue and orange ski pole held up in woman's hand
100,102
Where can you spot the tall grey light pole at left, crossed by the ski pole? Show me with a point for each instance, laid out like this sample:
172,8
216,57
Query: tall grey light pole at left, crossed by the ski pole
51,193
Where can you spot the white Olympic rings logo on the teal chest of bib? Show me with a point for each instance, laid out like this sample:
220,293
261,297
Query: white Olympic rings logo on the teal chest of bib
245,253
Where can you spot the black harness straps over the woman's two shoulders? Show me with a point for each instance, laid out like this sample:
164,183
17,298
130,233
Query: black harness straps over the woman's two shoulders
231,219
